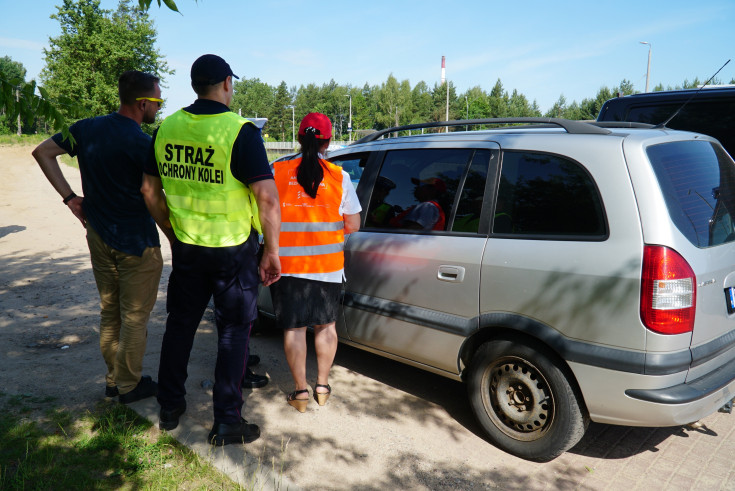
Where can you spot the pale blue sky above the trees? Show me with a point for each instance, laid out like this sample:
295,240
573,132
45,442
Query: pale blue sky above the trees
543,49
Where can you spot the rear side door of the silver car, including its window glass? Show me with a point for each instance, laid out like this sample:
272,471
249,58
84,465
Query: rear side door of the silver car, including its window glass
413,271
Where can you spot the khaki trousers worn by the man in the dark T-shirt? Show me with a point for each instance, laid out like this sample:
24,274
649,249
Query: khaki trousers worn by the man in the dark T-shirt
128,286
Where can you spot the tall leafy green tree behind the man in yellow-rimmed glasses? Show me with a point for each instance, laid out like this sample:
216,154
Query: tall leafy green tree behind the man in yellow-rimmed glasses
94,48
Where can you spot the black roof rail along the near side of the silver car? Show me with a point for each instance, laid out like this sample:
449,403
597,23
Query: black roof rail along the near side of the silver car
571,126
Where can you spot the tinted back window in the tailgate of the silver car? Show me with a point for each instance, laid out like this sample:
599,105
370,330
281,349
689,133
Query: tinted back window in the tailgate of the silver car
697,179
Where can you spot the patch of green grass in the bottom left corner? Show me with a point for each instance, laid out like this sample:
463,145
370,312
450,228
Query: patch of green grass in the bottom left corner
44,447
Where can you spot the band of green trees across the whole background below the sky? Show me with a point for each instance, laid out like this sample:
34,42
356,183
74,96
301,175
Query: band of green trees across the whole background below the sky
82,65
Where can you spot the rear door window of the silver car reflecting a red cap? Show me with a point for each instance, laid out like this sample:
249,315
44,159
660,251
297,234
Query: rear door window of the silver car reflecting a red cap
416,189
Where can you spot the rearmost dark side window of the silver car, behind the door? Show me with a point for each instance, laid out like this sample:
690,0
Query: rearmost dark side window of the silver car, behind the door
547,195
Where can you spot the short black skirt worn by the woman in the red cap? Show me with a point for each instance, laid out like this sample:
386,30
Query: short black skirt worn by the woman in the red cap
299,302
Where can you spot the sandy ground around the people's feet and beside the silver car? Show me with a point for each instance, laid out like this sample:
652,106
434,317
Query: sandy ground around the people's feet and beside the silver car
387,426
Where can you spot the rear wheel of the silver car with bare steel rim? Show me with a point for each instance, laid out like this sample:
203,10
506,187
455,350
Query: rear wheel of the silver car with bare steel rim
524,401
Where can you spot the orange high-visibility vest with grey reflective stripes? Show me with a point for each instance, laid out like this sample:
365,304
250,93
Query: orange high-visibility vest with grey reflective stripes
312,229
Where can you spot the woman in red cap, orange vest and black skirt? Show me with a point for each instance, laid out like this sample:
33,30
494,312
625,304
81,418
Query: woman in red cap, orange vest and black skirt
319,207
